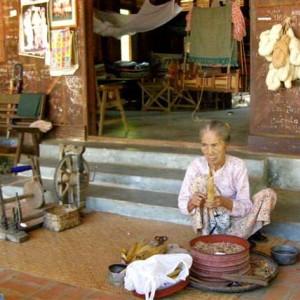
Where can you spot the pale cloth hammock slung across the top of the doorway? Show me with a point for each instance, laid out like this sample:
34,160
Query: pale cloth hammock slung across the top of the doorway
148,18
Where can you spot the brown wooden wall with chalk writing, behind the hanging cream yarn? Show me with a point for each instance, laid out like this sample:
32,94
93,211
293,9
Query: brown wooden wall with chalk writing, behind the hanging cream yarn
275,116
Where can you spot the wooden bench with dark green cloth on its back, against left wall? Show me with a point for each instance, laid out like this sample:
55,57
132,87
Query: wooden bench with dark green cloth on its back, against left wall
17,112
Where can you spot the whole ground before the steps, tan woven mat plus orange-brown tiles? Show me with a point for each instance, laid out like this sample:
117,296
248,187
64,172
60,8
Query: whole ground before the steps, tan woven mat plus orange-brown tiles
73,264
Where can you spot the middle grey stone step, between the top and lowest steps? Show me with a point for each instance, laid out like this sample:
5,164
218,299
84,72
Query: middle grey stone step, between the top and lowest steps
163,180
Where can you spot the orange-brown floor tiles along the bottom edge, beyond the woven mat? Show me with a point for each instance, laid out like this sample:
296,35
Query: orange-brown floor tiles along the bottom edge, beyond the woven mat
15,285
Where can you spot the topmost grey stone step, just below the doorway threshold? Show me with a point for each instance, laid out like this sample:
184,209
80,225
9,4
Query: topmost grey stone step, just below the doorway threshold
279,171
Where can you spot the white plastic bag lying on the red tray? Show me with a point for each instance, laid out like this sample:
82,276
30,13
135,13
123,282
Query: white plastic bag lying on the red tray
146,276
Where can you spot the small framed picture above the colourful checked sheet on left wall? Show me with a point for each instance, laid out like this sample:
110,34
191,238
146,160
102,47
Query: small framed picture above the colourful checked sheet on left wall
63,13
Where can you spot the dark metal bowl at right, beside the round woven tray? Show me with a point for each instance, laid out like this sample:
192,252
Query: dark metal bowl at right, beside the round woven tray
284,254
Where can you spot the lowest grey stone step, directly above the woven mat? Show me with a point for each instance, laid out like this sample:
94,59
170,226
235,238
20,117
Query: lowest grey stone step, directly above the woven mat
163,206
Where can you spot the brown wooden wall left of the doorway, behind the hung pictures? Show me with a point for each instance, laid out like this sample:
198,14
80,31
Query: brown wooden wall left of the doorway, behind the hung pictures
67,95
